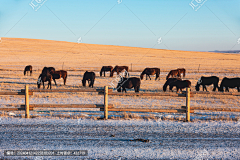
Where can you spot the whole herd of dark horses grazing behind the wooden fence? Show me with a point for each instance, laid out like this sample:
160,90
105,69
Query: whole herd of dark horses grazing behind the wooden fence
49,73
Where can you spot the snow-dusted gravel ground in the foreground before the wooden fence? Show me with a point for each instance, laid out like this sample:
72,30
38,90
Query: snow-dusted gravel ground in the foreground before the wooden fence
112,139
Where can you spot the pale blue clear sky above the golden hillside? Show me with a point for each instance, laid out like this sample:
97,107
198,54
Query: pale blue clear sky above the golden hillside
207,25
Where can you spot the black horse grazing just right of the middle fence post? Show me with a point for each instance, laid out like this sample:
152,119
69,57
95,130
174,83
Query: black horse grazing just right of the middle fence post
129,83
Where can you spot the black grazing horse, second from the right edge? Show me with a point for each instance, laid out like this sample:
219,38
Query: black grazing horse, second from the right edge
207,81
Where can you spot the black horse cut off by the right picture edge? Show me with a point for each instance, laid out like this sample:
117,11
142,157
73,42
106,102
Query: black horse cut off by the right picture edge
229,83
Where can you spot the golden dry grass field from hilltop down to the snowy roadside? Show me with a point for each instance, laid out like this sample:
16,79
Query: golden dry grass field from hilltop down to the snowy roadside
76,58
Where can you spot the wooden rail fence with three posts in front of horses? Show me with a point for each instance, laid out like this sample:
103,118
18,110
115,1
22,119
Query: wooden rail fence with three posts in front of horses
109,107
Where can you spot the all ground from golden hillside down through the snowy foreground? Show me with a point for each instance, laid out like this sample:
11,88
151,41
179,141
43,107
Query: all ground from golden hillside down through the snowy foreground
211,135
